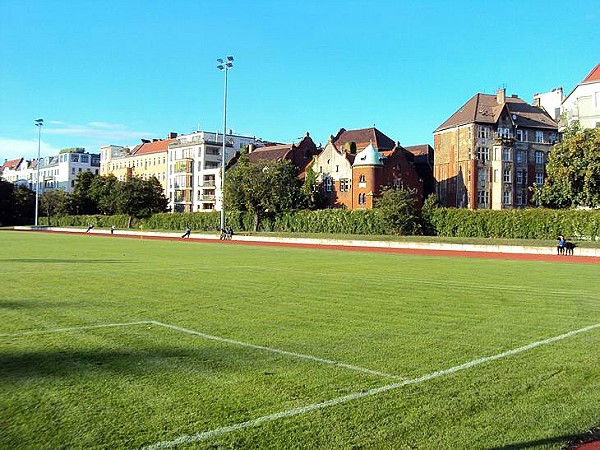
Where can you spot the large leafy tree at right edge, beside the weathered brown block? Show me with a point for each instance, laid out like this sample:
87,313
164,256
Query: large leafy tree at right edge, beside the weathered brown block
573,171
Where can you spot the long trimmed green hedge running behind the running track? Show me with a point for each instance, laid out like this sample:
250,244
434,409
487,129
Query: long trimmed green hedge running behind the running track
536,223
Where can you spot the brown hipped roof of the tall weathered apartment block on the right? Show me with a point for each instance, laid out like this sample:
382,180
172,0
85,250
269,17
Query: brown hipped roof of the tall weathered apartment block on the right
484,108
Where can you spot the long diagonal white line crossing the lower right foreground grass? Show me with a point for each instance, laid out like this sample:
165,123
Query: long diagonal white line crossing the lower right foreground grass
188,439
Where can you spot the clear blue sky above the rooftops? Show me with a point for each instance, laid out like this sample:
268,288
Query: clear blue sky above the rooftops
114,71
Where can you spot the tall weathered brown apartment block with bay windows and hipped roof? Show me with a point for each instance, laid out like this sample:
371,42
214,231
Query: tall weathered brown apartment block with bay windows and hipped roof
488,153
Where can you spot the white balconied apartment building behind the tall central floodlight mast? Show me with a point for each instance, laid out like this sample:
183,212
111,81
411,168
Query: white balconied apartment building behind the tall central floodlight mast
194,172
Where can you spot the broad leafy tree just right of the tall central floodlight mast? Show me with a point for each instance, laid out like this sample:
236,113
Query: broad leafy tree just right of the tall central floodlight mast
264,186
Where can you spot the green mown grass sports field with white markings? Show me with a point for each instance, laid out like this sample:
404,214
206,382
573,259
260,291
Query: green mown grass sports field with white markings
132,343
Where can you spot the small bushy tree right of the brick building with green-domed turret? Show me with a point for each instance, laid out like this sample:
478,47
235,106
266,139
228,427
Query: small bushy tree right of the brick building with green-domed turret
397,207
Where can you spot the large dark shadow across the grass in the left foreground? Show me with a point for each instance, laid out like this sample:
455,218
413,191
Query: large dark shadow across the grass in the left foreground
65,363
